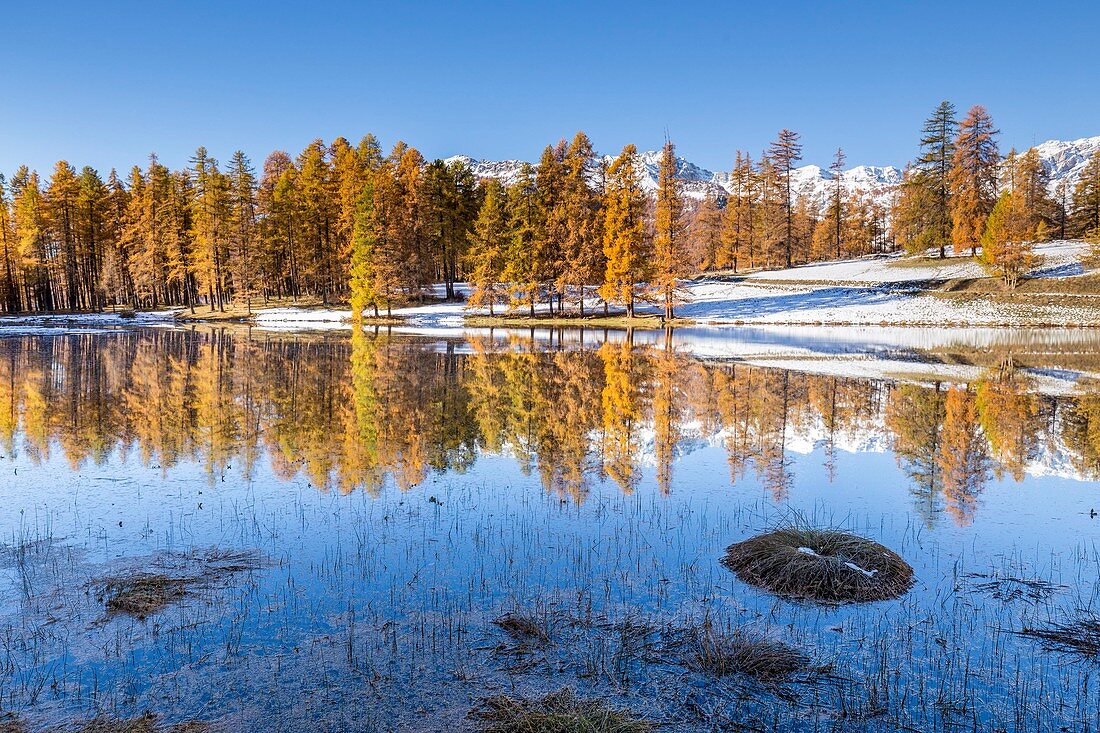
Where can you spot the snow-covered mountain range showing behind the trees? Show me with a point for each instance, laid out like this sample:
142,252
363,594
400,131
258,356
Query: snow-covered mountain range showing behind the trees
1064,161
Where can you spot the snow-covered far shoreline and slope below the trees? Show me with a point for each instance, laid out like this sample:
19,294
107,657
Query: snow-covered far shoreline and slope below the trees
886,291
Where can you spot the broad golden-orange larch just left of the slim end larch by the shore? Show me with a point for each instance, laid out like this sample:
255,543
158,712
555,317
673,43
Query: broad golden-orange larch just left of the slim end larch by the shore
625,246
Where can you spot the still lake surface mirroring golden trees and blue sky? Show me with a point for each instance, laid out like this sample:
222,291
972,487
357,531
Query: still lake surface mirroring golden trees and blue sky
392,495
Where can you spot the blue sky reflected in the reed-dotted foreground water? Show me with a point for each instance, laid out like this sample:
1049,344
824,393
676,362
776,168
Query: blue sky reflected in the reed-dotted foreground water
413,578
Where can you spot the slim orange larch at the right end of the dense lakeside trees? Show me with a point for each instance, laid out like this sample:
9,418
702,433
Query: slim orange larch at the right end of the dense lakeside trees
669,255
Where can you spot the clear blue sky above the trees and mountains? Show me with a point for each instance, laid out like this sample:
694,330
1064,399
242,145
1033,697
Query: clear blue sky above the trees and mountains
105,84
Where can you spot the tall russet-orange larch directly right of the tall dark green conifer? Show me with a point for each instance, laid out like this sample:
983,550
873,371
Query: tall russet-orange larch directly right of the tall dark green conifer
974,179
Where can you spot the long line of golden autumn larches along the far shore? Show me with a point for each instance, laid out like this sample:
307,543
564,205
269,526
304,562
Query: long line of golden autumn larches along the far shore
346,222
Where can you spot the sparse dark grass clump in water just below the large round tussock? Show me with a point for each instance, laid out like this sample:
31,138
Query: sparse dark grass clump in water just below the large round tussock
746,653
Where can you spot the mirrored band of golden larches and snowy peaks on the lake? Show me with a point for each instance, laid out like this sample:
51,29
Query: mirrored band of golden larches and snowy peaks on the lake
355,413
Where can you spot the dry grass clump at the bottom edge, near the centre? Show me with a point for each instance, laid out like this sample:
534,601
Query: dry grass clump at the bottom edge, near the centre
558,713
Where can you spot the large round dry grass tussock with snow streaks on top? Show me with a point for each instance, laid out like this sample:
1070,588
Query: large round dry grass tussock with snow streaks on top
820,565
